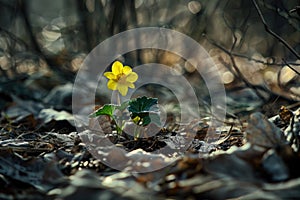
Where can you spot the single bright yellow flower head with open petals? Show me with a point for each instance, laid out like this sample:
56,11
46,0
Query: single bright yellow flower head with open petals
120,78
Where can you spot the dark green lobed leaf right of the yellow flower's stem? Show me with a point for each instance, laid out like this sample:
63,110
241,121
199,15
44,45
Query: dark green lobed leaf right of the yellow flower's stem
145,108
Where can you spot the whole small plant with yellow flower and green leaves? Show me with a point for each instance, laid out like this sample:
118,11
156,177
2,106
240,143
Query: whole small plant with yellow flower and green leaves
142,110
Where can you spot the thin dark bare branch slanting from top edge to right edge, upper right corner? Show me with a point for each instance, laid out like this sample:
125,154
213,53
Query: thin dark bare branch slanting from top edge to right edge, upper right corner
273,33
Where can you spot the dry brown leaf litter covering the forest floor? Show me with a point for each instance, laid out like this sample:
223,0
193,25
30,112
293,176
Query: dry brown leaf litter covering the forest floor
42,156
